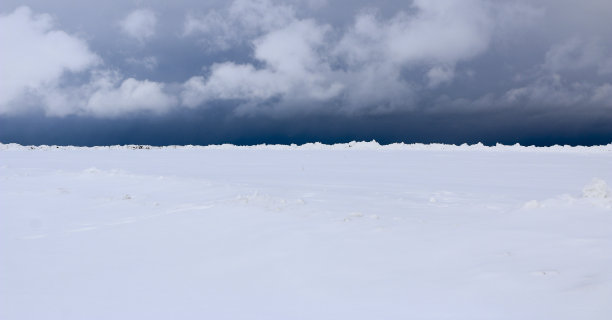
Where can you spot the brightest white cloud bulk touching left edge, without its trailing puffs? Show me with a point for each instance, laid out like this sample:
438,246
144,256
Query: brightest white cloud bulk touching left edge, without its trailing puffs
34,55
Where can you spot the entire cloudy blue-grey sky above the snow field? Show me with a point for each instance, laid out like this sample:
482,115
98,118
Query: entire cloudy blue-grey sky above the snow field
263,71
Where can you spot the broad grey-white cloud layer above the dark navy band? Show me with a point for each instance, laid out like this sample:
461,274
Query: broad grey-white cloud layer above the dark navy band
290,58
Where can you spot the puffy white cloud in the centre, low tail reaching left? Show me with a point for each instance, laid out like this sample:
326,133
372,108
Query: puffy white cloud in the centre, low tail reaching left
292,69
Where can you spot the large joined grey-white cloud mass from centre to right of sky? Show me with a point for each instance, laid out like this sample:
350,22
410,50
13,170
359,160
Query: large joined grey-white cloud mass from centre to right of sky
302,59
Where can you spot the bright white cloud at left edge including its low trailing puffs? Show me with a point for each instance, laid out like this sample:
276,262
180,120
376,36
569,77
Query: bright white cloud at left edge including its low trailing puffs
38,61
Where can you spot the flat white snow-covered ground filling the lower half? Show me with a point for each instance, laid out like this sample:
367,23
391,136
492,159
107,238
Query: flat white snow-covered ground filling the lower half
354,231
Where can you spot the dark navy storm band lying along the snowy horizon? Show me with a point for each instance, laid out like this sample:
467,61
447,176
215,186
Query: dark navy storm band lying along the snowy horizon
217,126
